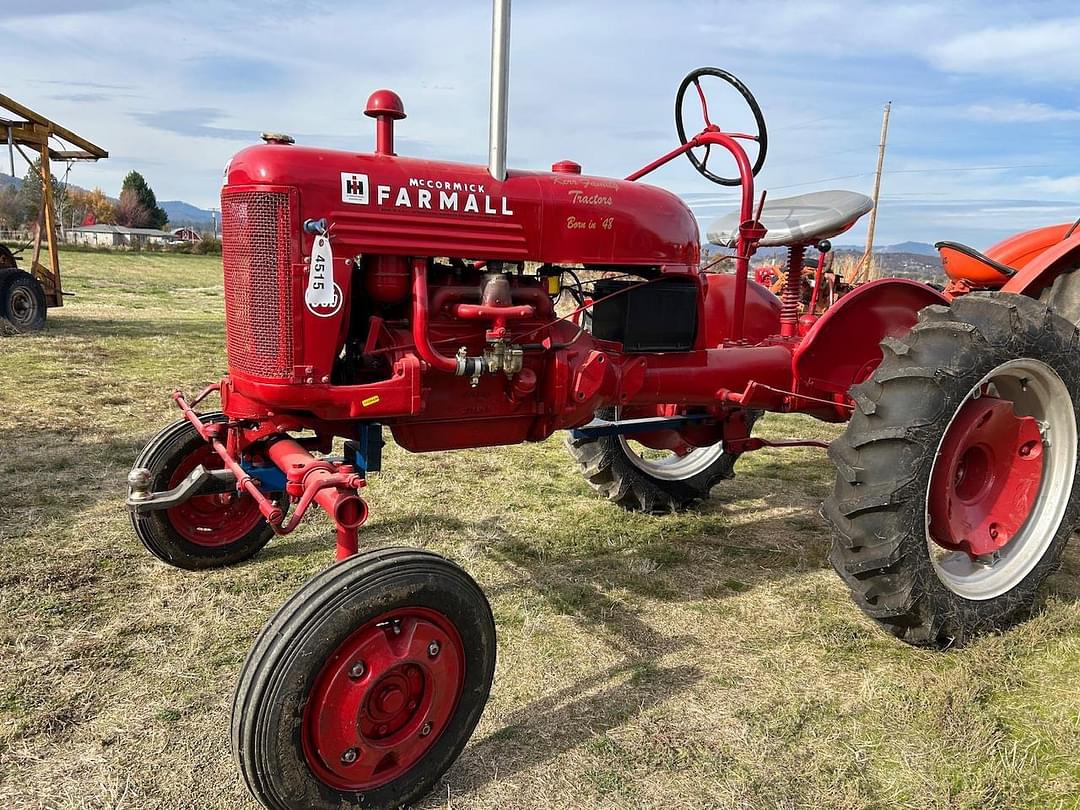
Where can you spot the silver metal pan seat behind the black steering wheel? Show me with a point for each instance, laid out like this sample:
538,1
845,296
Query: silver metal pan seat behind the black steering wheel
800,220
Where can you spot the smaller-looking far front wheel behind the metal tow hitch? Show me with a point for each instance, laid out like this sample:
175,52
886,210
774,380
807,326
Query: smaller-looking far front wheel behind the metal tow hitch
207,531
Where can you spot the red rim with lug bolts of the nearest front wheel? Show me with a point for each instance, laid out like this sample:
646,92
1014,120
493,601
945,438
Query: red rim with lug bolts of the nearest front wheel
383,699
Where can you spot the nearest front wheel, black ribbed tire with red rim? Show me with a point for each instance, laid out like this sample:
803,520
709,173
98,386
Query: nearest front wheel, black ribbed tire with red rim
366,686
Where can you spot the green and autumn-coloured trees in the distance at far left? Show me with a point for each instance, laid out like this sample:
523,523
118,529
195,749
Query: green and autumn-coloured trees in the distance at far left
137,208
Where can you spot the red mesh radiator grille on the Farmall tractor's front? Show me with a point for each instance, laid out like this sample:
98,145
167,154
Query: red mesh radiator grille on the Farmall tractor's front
256,228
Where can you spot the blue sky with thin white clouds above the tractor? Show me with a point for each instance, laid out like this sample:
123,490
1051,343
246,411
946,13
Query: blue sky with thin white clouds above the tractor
983,139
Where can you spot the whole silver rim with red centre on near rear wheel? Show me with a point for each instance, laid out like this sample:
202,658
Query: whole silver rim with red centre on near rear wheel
998,489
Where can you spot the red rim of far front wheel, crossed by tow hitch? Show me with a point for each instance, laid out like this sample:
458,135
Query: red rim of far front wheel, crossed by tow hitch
211,521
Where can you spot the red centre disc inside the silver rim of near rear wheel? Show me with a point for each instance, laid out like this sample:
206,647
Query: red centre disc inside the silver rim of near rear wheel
987,478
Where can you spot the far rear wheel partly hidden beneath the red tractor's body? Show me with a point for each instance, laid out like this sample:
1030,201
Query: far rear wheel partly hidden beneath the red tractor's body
640,480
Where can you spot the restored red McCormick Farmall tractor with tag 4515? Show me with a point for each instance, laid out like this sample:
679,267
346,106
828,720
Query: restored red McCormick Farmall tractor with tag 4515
374,292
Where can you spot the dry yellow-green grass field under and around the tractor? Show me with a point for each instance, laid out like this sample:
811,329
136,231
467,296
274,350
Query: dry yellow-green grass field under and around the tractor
709,659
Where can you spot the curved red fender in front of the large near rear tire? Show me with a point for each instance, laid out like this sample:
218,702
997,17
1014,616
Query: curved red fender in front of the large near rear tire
843,347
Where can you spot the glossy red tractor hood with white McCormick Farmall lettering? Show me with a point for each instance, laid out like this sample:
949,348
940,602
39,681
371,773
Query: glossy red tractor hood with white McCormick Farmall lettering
394,206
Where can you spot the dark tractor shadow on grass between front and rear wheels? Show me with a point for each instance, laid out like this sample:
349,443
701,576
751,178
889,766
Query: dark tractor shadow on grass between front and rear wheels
604,593
